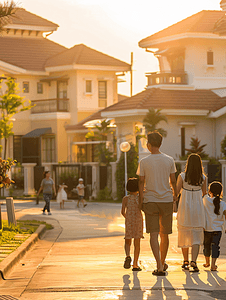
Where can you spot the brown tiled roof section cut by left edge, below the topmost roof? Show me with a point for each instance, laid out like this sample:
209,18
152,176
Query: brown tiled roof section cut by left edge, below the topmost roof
28,53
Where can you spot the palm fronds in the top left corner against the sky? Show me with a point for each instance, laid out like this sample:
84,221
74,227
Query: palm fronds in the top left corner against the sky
7,9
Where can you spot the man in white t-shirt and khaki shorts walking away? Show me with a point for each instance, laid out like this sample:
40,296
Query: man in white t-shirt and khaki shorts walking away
157,175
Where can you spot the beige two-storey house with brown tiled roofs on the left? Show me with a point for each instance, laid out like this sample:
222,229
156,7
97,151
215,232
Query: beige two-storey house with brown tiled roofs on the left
65,85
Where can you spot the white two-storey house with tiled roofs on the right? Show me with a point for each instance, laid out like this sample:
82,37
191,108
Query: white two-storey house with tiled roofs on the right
190,86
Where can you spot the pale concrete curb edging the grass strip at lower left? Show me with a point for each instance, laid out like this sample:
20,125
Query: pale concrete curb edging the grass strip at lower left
7,264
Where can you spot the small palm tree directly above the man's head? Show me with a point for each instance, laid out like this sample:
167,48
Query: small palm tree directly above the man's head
153,117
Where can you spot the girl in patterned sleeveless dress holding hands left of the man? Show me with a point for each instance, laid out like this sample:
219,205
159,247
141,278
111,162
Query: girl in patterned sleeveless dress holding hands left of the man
133,223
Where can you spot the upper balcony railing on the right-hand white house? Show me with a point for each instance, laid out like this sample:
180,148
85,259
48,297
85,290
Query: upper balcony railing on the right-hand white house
167,78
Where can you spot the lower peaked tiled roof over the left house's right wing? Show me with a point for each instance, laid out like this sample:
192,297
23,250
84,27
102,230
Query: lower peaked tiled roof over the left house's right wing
83,55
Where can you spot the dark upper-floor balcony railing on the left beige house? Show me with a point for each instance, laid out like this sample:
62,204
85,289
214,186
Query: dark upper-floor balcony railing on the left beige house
50,105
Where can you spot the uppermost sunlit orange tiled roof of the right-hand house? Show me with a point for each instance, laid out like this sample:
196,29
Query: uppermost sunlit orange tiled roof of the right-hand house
203,21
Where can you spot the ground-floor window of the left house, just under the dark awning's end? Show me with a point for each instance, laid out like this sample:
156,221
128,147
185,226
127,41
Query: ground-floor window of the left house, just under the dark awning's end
48,149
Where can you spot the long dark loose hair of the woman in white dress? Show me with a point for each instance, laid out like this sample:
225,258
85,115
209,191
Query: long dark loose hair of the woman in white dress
194,170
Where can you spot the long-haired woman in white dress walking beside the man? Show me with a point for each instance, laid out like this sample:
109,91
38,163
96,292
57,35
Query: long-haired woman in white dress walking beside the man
191,214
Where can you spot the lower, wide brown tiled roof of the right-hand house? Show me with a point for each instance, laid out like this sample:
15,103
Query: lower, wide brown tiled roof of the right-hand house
171,99
